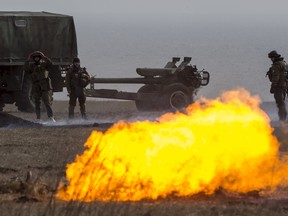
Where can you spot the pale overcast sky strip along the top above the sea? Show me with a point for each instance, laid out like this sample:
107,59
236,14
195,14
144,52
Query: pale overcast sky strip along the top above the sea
216,7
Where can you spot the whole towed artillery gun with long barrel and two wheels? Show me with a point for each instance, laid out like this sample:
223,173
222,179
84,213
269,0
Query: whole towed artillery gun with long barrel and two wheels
171,87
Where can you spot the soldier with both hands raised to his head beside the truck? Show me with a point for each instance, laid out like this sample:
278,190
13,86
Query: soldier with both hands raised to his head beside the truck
38,66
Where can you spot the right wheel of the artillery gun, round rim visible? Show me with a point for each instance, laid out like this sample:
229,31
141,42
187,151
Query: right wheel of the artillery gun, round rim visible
176,96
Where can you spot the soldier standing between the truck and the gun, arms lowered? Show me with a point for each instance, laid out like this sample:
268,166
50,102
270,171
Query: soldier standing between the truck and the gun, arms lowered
77,79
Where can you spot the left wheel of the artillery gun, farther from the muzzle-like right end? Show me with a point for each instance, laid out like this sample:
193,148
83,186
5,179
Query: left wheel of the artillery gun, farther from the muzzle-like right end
143,104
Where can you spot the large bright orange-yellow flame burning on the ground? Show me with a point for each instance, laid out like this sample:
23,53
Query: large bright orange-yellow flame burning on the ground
226,142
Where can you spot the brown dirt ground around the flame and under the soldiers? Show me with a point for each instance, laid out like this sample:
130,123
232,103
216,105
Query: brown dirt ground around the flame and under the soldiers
33,160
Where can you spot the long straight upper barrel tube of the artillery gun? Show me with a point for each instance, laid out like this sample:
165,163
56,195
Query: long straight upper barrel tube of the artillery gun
146,80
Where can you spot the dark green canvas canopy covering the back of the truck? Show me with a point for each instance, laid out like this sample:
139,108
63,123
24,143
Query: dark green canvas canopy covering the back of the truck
23,32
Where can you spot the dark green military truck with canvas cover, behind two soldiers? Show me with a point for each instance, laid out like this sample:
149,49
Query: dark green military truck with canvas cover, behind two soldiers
22,33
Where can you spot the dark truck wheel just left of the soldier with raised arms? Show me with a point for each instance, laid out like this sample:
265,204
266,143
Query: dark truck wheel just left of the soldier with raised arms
23,99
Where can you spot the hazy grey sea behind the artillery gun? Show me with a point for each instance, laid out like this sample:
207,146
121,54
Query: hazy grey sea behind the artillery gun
233,49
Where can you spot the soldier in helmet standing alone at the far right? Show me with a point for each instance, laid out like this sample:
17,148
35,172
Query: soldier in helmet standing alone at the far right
278,82
